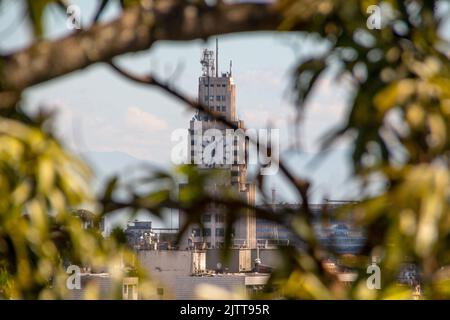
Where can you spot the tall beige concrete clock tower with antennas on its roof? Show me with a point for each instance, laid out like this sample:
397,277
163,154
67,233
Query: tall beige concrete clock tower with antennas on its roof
214,146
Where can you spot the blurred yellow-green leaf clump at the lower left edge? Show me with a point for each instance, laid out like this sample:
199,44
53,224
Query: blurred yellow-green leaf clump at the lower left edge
39,185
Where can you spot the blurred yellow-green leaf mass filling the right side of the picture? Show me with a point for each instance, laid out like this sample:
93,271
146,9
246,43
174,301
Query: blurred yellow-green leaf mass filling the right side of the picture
399,122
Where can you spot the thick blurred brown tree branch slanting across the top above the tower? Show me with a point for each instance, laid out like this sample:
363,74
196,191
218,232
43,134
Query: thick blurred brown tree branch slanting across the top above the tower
136,29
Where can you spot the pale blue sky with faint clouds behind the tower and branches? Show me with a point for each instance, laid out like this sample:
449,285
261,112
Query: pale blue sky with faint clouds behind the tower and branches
98,111
